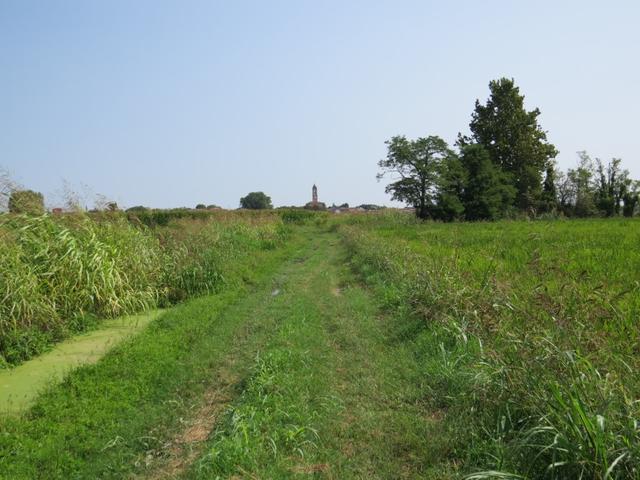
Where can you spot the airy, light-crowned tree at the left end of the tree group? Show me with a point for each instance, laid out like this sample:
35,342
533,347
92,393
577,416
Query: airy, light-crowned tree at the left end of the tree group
417,163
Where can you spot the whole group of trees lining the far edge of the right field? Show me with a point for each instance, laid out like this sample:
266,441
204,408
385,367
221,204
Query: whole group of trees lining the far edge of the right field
505,167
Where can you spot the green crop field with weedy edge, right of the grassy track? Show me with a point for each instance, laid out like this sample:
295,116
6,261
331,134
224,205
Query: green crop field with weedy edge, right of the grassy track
527,335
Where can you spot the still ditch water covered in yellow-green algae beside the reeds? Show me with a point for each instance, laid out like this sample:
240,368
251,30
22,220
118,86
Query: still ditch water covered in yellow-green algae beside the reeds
20,386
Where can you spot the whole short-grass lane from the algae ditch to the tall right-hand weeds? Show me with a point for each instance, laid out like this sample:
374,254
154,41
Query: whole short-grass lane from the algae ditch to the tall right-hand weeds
300,377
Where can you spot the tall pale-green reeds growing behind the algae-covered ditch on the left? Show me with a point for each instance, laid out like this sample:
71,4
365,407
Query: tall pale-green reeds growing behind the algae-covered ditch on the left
59,274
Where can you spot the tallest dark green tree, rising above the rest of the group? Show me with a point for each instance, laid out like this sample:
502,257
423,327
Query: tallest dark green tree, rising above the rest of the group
513,138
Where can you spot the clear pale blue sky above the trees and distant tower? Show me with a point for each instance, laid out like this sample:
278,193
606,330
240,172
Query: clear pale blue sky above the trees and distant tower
175,103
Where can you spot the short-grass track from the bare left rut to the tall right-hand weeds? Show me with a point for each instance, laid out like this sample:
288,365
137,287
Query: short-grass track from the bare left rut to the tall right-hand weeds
331,395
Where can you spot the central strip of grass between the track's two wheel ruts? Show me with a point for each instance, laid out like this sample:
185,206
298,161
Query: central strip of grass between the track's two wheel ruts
271,431
